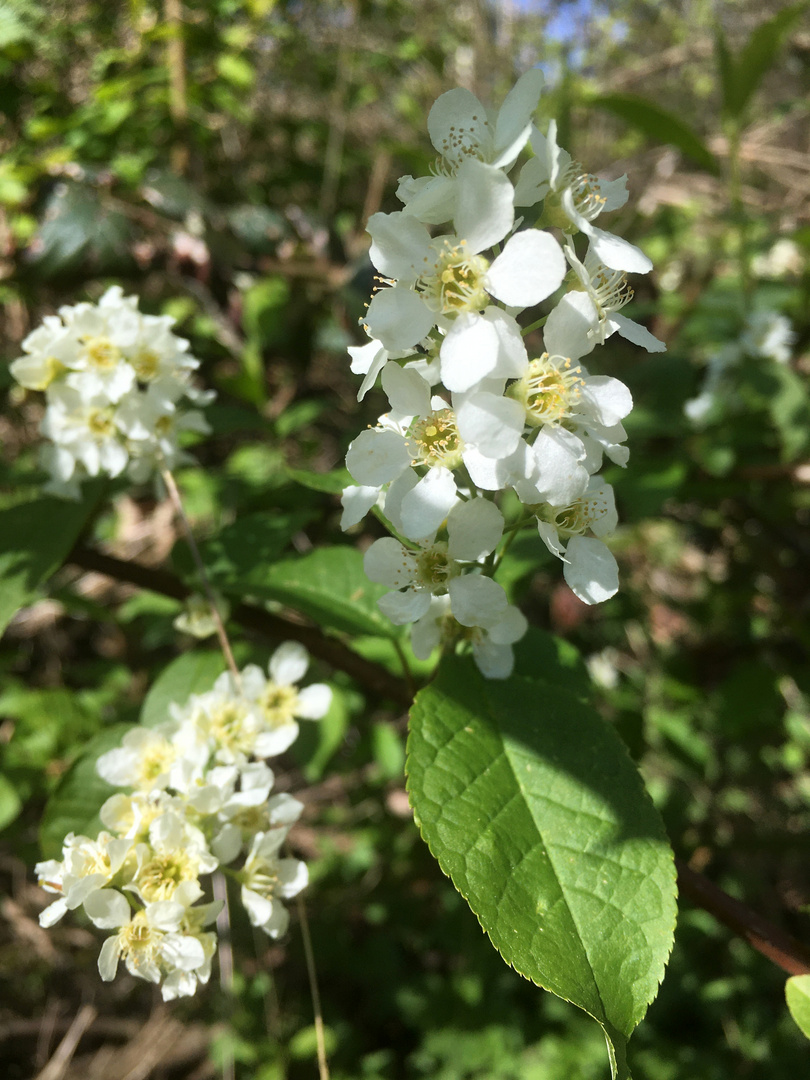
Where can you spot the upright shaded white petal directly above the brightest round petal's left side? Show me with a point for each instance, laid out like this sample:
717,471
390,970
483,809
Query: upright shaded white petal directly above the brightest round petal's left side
484,206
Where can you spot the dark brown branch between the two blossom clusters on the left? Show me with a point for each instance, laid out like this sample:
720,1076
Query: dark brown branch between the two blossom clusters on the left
372,676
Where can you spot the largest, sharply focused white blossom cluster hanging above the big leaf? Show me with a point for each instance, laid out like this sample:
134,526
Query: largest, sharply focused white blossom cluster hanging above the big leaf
472,413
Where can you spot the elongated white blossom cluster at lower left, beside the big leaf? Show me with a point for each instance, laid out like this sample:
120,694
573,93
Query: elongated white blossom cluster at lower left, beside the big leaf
198,802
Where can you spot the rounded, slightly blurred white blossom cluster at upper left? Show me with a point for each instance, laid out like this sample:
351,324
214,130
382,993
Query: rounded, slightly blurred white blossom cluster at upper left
115,382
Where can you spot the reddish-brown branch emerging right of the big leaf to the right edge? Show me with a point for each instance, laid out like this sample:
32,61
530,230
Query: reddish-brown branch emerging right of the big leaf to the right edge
779,947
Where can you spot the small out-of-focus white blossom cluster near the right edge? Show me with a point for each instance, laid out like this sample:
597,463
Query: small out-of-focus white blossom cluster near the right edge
766,335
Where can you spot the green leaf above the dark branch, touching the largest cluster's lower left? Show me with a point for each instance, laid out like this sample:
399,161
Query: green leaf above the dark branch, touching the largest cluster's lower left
331,587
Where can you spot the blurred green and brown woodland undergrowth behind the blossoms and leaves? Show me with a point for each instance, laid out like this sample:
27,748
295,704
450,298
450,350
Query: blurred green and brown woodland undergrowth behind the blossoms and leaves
221,159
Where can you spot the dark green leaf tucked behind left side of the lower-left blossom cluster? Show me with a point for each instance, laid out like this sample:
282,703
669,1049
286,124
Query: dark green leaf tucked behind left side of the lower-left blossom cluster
74,807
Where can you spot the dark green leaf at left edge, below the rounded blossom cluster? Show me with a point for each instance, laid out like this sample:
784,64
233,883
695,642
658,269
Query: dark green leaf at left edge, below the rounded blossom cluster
35,539
